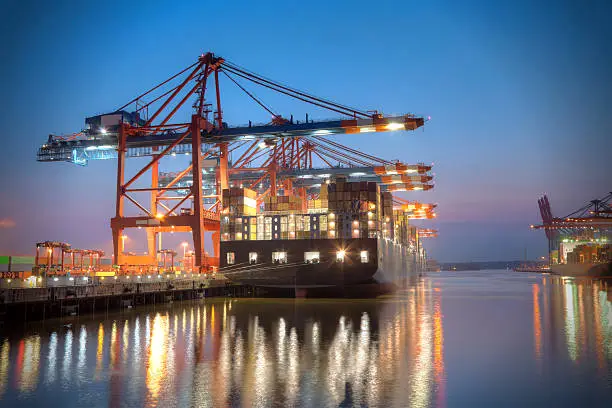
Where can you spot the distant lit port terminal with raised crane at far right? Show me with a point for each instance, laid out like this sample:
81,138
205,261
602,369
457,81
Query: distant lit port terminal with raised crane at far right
579,242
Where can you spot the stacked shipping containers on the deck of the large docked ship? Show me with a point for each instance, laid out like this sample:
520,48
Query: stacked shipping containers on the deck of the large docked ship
343,210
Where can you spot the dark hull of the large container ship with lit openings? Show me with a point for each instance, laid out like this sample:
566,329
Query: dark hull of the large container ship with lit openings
387,263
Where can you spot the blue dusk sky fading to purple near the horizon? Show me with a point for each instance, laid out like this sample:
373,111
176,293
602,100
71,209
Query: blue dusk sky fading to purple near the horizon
519,94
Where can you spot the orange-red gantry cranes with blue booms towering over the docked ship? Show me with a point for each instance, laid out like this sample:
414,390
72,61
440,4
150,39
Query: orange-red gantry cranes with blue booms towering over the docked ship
275,155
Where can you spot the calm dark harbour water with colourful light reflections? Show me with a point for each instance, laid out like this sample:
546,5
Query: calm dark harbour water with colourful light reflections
423,347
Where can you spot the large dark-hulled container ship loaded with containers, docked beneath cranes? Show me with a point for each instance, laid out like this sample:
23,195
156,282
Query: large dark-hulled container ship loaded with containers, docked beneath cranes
349,235
